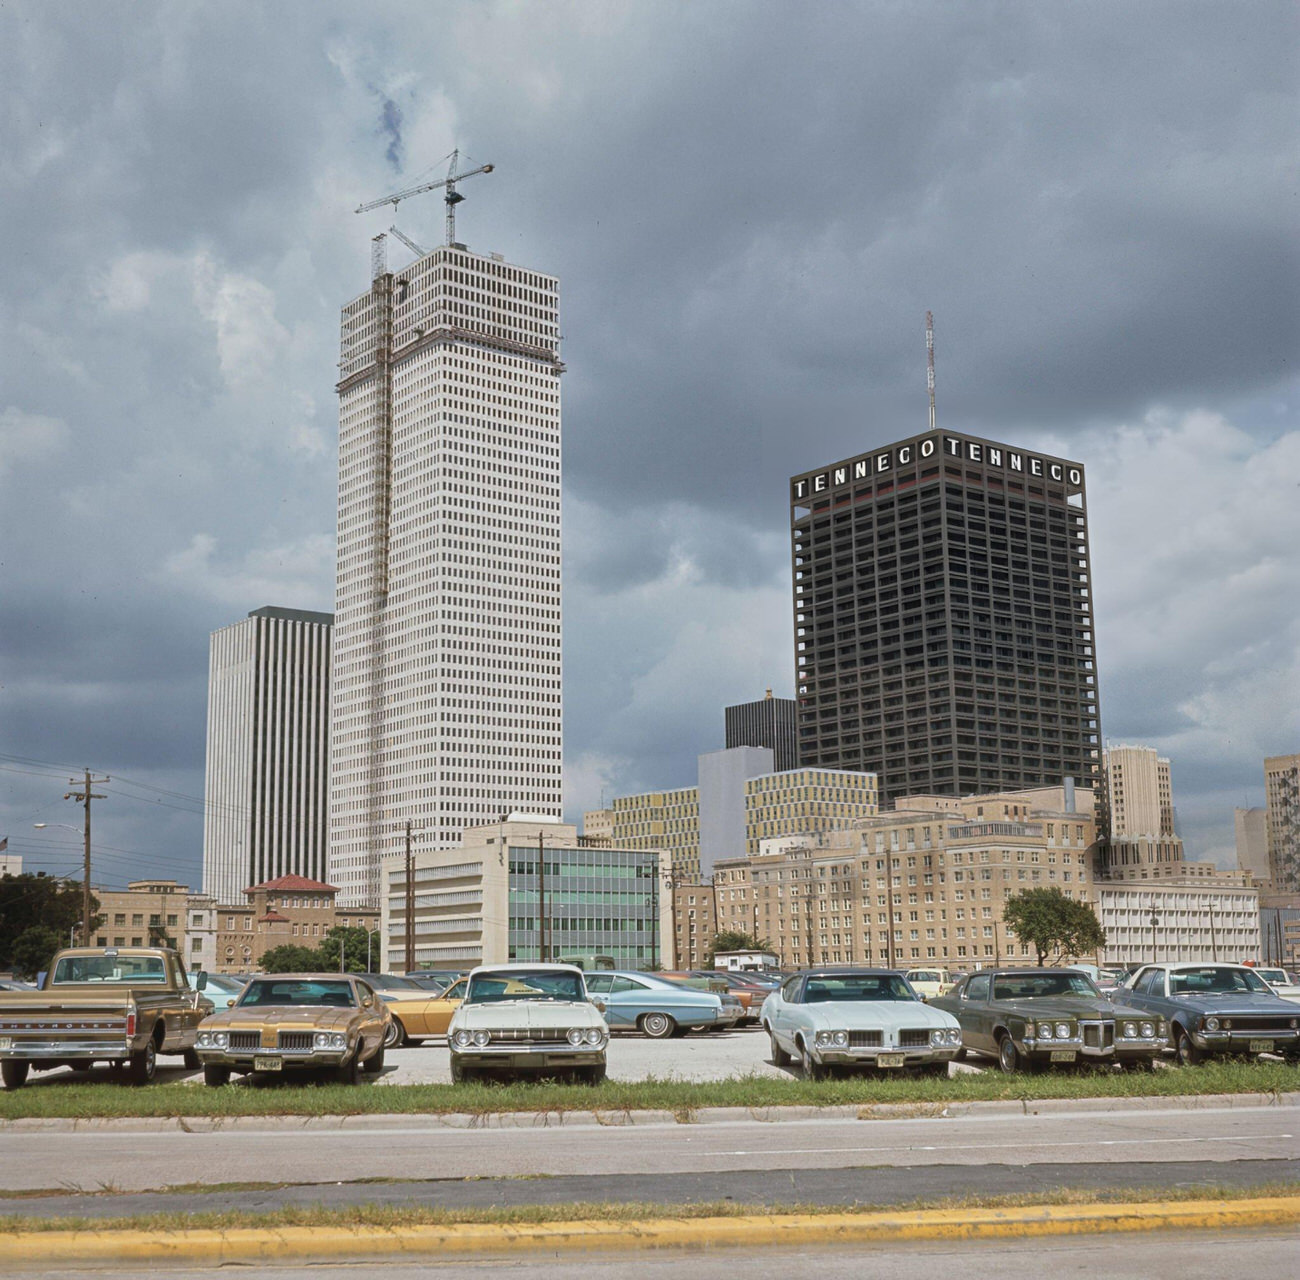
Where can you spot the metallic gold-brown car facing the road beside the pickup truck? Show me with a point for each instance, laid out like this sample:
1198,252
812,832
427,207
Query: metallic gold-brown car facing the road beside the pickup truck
284,1023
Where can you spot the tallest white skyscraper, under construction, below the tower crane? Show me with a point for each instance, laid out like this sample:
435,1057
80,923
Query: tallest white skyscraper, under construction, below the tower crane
448,604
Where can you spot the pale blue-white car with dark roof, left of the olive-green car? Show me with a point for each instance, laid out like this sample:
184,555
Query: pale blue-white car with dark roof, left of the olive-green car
857,1018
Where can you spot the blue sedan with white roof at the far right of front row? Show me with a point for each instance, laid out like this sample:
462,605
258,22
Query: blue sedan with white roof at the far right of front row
1216,1009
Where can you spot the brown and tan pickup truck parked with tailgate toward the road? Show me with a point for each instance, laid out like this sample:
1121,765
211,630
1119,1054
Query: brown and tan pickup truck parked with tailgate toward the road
118,1005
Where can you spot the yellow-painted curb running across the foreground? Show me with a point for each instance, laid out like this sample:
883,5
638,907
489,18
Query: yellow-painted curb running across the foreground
309,1243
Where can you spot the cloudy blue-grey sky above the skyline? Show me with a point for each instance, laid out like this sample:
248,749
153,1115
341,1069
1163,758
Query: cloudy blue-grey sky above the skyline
751,207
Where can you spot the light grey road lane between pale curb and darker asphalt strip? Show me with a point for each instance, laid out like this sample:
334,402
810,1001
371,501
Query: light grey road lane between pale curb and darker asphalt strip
120,1157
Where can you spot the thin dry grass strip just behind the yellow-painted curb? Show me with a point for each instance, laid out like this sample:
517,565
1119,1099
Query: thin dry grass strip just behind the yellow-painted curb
400,1217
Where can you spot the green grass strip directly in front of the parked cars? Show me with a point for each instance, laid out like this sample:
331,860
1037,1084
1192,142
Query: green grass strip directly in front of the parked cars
57,1100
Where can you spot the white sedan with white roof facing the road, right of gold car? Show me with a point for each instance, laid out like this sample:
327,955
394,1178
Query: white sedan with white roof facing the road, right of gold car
527,1021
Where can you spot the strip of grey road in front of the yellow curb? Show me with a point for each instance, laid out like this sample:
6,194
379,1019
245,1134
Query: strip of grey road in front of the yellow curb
1169,1256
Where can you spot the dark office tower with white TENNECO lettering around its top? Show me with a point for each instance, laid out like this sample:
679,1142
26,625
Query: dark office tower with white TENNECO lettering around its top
943,618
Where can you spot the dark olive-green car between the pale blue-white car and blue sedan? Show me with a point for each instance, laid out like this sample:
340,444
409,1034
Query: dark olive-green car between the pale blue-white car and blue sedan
1032,1018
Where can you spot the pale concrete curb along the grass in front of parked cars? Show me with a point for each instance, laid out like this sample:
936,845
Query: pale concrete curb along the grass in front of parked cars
608,1120
